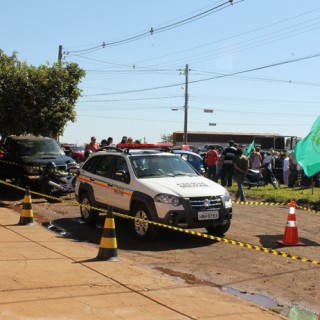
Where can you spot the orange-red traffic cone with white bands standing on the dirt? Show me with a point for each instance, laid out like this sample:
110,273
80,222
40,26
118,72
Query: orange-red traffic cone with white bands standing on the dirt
290,237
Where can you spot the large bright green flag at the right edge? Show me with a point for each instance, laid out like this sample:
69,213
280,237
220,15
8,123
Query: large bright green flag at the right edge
307,151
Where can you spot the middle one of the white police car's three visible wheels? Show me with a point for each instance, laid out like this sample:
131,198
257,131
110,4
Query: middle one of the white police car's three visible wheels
142,229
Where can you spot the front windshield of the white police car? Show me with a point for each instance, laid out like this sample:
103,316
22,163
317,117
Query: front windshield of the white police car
161,166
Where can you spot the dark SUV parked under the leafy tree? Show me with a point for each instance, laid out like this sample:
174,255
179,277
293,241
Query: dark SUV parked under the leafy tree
25,157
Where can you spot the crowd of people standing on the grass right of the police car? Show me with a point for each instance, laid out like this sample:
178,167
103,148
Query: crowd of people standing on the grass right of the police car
231,163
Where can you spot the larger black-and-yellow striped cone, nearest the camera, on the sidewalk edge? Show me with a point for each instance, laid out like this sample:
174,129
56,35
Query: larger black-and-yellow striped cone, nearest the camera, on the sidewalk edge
108,243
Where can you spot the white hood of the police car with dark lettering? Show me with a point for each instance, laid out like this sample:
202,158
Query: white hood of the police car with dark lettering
184,186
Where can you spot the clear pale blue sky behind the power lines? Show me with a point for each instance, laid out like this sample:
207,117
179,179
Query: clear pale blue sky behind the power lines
255,63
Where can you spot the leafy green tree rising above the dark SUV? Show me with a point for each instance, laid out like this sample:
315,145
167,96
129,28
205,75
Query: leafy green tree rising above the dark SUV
37,100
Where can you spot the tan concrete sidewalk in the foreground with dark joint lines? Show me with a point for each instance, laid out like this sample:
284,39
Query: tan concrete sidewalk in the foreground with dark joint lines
44,276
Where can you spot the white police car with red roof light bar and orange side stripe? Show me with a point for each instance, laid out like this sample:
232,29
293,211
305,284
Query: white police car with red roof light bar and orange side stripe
154,186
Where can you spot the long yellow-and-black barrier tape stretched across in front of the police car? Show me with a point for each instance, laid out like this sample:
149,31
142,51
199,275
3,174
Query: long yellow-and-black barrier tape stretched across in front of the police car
188,231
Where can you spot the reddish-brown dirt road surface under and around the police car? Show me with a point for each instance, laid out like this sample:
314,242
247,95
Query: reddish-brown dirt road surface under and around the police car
228,266
